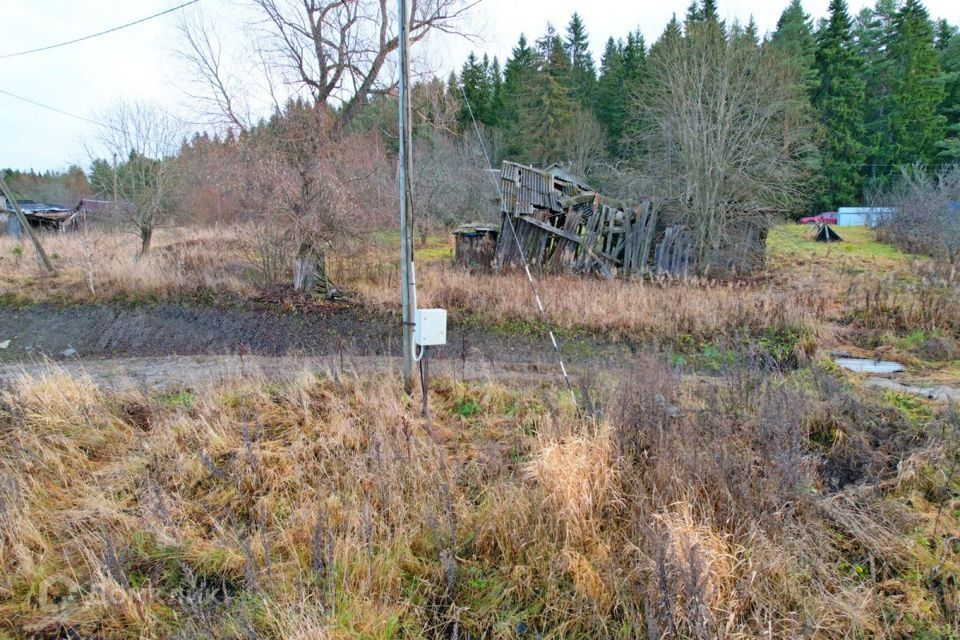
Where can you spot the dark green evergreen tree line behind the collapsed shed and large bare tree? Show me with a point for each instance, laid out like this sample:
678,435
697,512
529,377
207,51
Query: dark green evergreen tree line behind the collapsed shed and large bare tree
882,90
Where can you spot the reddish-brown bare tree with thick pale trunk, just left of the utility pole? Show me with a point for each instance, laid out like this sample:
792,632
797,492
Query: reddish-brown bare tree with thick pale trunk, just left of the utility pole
307,189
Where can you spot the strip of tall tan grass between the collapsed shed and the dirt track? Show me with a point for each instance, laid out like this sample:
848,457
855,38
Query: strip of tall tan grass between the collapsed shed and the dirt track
635,308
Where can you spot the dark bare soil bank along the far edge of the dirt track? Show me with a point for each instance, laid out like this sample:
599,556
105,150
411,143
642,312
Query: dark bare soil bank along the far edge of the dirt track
260,328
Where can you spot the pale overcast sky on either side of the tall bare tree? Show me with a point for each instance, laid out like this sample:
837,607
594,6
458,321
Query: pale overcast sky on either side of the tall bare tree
141,63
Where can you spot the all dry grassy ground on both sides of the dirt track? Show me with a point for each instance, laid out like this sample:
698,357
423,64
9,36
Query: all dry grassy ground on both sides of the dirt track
729,483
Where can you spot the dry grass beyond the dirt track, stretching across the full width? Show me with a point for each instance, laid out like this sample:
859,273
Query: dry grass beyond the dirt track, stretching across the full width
825,298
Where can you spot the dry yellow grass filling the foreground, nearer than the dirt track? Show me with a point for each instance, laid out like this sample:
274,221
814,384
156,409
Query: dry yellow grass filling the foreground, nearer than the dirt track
322,508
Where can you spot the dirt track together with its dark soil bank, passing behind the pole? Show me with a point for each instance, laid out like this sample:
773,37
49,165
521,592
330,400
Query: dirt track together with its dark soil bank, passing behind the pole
169,345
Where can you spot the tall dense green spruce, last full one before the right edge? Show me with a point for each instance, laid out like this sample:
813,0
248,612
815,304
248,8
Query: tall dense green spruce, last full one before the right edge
916,88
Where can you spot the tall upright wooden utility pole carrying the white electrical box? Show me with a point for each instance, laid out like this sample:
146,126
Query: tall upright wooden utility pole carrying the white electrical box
408,293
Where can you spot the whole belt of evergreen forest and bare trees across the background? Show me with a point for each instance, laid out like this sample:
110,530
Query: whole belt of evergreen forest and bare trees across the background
820,115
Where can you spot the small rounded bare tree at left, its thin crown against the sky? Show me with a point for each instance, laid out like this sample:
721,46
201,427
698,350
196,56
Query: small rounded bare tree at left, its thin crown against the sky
146,138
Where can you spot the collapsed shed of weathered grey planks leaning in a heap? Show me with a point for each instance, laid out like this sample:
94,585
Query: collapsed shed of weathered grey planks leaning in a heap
561,224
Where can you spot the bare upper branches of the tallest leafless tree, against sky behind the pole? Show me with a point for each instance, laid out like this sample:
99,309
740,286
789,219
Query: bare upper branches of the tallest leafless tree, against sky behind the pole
335,51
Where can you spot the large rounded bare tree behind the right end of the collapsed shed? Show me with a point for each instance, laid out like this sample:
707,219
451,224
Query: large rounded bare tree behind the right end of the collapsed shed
723,135
